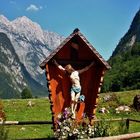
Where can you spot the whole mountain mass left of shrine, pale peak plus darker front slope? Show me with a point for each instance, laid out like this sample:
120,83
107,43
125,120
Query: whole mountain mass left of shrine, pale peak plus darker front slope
24,45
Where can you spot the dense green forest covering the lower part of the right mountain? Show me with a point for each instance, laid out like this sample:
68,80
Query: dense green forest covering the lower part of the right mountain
125,71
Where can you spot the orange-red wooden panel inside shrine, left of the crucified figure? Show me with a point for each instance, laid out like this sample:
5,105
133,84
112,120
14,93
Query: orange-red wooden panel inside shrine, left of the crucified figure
60,85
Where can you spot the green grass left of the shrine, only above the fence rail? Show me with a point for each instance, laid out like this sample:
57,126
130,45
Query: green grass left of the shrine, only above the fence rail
18,109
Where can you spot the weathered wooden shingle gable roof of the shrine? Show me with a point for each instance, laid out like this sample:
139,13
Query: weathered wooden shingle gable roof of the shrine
75,32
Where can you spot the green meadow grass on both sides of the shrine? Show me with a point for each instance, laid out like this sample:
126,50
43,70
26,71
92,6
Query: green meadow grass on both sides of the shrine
17,110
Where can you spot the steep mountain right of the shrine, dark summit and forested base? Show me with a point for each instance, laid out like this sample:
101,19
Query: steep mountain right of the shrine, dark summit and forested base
125,61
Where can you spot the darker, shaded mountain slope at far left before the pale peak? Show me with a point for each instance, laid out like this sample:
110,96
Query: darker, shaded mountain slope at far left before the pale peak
13,74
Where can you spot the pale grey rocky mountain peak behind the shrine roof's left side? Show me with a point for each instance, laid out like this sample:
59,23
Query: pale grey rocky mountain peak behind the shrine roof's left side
32,45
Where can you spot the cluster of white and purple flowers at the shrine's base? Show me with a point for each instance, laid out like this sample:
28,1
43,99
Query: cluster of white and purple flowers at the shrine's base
67,127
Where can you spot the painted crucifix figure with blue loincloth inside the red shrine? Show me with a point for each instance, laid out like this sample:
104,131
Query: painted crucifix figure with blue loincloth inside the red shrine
73,74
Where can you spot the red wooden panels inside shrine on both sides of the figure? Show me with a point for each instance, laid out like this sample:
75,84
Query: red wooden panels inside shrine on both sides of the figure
60,91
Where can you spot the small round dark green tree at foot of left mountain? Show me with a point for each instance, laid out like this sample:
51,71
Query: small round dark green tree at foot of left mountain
26,93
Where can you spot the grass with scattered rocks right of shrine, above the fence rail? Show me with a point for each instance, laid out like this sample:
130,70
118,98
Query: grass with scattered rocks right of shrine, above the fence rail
119,98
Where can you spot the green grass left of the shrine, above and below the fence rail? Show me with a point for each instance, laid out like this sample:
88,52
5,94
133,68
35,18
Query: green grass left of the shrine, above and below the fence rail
17,110
